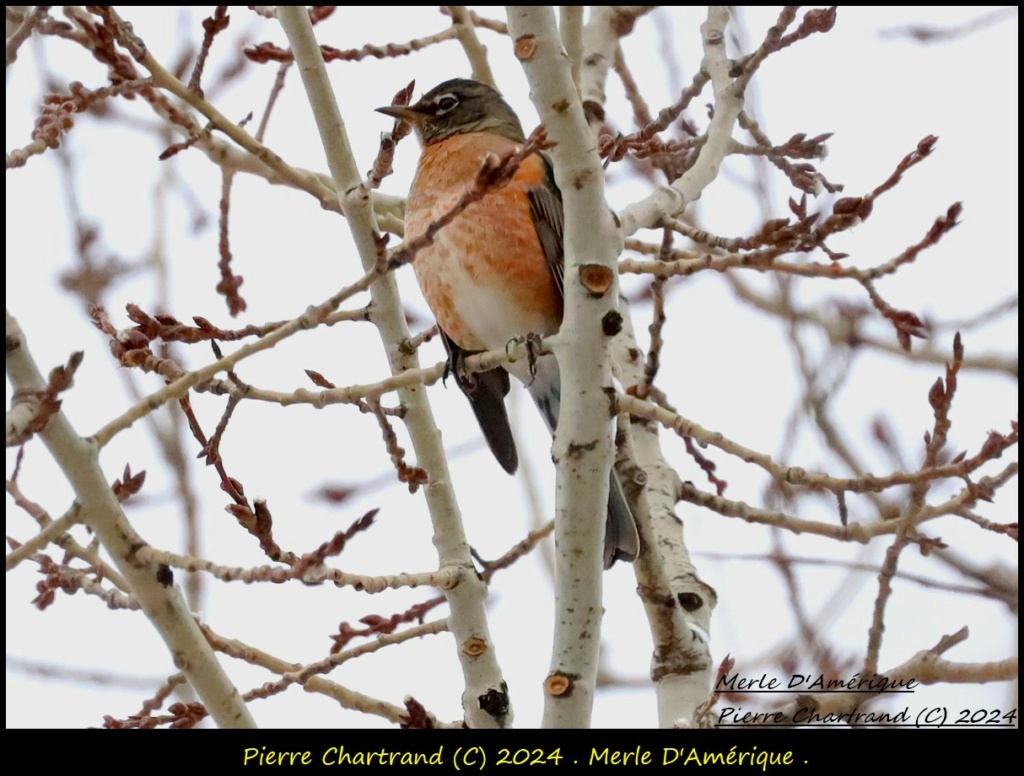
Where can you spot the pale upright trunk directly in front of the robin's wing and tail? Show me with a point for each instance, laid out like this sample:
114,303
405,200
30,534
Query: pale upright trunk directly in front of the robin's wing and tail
583,443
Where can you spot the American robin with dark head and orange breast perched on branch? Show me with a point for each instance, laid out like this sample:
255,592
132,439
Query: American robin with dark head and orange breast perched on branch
495,273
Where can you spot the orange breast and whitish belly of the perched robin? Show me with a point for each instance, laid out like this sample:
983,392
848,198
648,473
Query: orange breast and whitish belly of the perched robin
486,277
